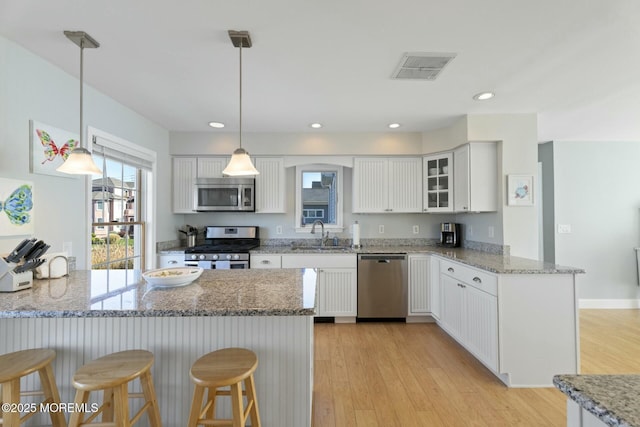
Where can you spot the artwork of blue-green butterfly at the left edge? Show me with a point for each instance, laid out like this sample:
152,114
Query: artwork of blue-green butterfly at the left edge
16,207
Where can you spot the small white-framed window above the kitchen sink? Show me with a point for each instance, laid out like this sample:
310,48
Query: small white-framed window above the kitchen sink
318,196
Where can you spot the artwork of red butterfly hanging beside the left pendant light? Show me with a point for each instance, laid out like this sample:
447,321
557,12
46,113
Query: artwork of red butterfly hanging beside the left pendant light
50,147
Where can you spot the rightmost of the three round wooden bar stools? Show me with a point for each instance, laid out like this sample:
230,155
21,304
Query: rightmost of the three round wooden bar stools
222,368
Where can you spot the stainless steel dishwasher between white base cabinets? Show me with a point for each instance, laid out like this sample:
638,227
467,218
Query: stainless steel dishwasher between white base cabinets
382,285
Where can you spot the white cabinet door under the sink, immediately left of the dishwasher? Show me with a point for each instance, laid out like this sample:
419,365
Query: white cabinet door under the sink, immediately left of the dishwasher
337,292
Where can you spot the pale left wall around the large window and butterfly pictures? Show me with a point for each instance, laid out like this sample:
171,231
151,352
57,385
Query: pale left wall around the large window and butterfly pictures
31,88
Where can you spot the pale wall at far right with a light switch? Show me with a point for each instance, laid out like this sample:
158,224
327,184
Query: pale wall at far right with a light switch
596,193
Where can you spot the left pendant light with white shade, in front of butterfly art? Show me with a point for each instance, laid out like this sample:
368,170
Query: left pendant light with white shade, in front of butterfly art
80,161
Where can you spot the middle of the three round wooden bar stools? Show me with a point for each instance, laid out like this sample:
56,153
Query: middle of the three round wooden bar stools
112,373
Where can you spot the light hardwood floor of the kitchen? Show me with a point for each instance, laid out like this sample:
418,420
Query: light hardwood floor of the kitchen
403,375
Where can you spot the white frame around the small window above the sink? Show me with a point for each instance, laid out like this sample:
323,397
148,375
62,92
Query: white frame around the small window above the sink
320,167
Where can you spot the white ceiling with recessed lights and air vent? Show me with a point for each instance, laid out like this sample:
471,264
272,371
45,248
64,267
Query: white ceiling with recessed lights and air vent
576,63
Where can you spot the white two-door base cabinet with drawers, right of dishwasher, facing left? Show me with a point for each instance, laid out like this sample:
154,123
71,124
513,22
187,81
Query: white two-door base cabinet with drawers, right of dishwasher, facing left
469,312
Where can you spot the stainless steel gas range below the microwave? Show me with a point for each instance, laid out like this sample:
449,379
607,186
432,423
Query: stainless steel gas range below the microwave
224,248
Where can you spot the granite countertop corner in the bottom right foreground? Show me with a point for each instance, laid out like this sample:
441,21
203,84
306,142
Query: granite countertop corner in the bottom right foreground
614,399
